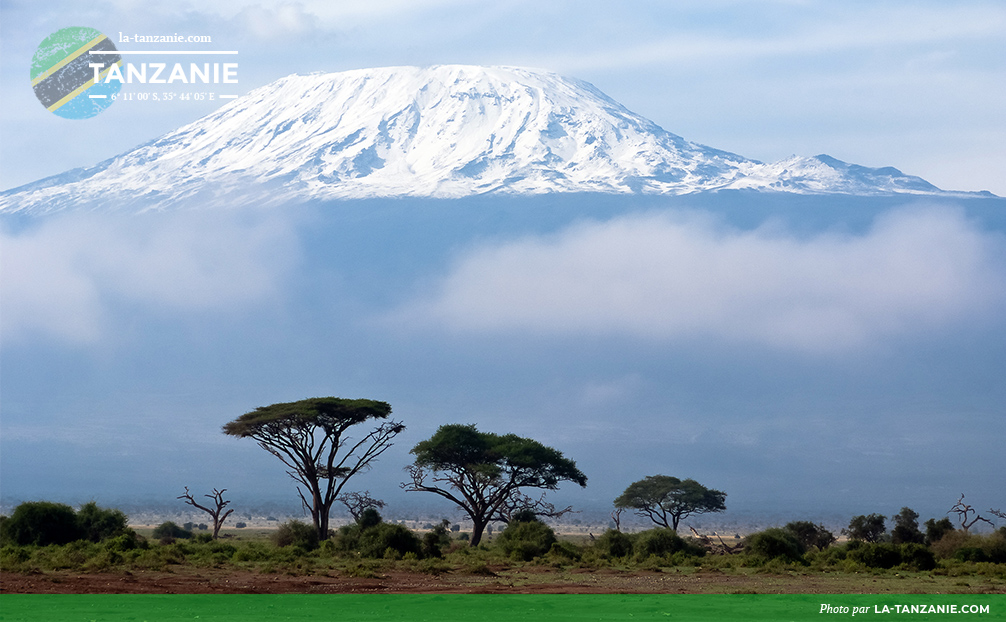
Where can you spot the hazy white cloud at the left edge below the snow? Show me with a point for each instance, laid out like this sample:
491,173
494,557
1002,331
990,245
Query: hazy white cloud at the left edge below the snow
60,278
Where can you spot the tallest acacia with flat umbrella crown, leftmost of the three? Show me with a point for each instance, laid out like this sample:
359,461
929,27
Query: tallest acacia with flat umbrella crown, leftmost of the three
309,437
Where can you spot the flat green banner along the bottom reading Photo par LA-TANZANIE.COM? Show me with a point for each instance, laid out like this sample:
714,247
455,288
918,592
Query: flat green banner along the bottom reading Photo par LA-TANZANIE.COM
496,608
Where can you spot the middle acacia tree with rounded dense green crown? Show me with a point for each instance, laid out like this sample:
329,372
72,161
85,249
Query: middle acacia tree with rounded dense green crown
485,475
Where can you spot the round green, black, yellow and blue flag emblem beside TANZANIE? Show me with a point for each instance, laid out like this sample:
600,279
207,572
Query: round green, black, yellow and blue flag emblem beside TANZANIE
64,79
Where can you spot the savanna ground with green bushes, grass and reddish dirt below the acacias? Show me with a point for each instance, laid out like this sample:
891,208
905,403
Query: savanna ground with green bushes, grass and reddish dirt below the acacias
526,558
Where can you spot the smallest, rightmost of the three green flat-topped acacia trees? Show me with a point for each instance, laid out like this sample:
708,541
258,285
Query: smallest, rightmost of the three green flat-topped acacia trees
666,501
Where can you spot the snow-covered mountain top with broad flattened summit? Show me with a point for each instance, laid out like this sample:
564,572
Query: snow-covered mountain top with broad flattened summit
447,131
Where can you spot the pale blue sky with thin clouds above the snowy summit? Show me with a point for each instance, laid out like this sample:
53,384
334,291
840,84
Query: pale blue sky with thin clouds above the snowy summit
919,86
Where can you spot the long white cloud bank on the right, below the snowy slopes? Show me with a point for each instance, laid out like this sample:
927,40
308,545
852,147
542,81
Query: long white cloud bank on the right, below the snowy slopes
661,277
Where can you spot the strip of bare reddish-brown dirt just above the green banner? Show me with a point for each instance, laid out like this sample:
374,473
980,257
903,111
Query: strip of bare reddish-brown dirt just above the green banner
538,581
